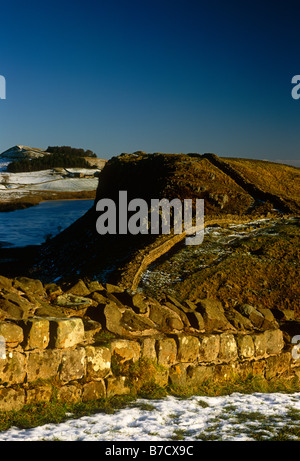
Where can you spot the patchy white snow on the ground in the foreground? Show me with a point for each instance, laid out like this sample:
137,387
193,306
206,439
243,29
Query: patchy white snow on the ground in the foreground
236,417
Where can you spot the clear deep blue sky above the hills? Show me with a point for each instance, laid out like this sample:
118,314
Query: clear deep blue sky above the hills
160,76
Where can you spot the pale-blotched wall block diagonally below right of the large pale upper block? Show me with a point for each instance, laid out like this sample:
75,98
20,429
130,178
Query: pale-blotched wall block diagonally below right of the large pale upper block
98,362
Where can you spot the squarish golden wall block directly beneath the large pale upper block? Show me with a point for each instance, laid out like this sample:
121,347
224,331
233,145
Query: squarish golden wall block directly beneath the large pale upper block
73,365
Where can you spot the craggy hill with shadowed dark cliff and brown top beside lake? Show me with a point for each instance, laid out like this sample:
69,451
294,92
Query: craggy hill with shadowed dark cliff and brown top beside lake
234,190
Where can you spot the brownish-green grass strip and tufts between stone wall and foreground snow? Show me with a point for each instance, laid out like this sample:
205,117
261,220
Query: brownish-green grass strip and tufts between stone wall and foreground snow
57,412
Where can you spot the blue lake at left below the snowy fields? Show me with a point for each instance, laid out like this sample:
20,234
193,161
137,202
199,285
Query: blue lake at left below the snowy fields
32,226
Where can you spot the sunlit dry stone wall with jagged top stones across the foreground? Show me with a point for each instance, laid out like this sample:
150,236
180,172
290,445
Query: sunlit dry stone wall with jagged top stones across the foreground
79,343
